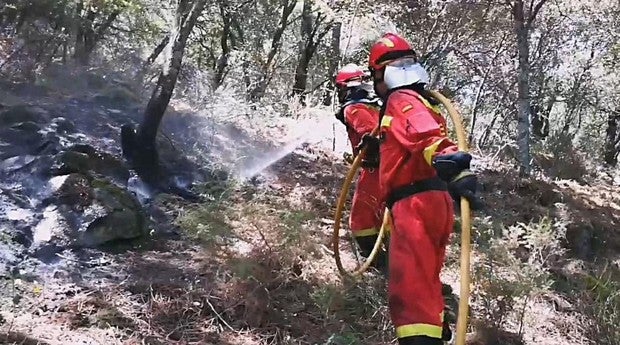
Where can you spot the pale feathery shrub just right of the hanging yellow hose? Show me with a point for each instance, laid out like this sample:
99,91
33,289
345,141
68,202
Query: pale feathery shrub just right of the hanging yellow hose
512,267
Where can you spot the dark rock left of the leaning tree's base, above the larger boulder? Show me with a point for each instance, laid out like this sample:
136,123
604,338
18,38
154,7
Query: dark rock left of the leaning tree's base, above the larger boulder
87,160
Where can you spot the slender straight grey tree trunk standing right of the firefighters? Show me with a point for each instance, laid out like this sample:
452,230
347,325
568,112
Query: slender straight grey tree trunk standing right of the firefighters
524,102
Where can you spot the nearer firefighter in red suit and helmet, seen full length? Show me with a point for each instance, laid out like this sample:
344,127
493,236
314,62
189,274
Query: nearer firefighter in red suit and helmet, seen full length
421,173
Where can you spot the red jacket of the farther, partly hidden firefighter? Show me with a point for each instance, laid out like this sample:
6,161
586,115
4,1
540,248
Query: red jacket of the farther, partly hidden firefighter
361,119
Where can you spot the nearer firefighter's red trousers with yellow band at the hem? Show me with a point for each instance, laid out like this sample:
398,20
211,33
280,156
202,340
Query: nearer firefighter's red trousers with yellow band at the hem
422,224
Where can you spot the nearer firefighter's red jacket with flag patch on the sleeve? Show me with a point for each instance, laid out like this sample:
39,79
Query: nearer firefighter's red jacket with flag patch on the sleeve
412,133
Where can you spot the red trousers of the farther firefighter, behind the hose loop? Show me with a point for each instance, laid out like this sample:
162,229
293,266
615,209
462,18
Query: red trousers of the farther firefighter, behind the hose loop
366,210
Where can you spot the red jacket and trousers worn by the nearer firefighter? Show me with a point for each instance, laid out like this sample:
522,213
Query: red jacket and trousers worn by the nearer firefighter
412,132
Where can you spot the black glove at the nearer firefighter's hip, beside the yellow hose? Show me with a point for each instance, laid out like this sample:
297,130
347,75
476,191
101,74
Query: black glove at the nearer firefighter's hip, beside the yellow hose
454,169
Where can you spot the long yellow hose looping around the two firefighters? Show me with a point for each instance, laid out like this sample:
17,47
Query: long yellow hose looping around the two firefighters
461,326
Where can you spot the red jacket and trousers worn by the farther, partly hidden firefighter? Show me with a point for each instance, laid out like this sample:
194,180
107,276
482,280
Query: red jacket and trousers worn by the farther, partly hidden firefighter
367,210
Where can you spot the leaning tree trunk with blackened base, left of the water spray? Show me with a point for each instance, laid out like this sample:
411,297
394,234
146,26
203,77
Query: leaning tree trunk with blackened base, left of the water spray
157,105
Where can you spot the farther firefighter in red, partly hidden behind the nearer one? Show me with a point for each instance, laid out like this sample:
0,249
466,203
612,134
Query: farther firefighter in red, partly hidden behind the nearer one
359,112
